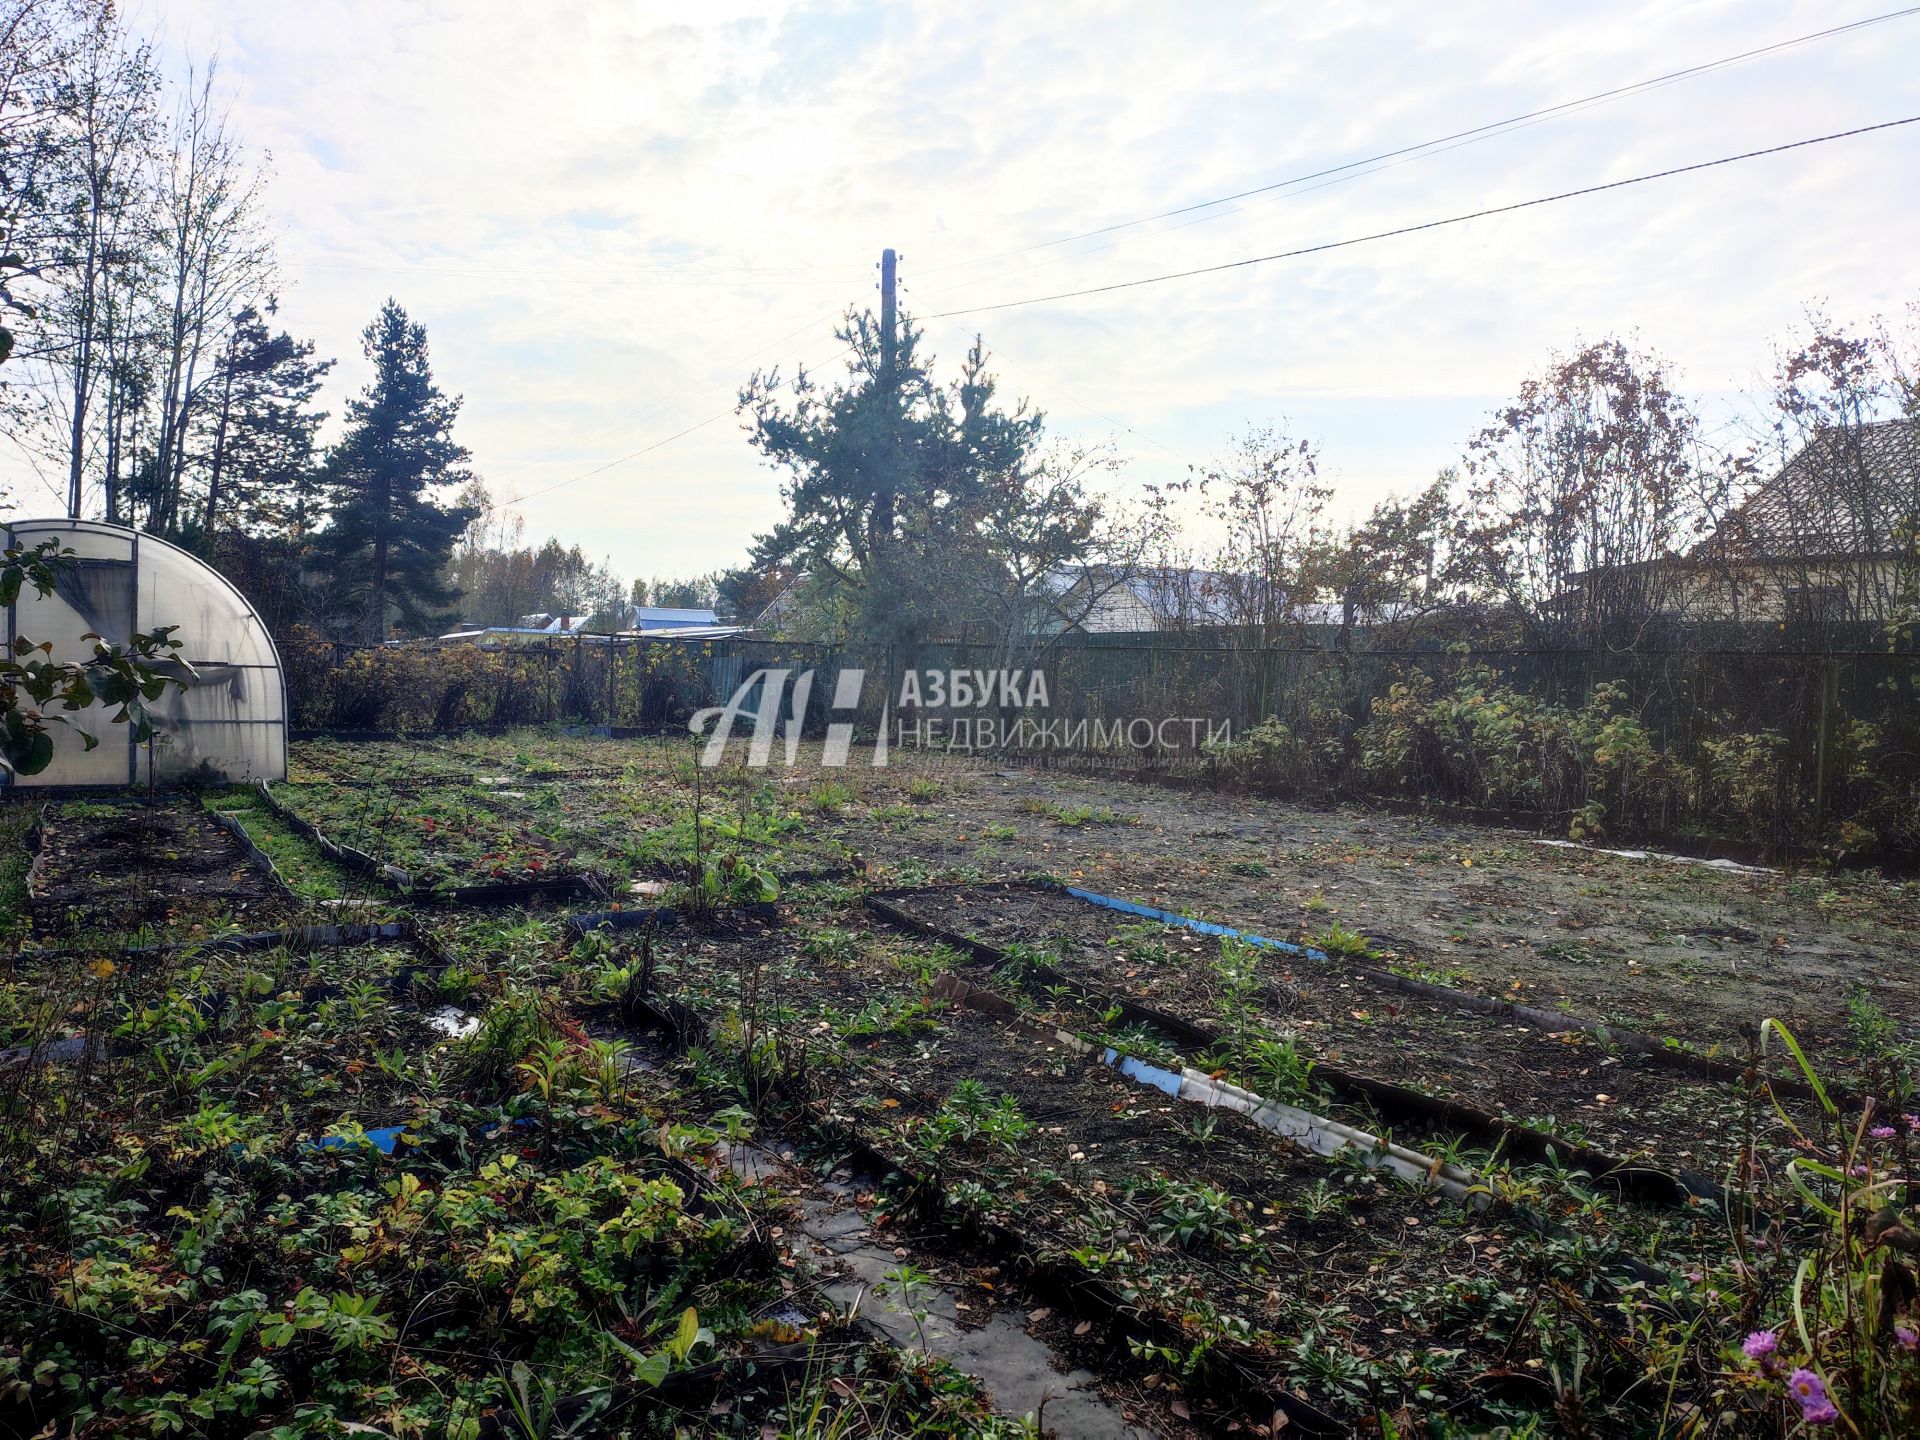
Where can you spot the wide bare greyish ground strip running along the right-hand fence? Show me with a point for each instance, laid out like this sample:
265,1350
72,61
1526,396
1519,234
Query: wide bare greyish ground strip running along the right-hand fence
1673,949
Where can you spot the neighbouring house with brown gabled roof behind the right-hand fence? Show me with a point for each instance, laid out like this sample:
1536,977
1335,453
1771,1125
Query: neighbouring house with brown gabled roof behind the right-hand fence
1835,537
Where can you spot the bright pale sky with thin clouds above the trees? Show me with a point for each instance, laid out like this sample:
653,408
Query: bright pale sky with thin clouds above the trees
610,214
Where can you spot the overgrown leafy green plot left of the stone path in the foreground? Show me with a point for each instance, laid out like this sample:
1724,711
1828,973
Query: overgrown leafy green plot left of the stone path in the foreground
283,1197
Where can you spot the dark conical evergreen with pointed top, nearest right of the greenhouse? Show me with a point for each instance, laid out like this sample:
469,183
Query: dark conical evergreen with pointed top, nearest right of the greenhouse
389,544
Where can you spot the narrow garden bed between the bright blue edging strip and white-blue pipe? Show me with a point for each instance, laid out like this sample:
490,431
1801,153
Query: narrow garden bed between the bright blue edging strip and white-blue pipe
1245,997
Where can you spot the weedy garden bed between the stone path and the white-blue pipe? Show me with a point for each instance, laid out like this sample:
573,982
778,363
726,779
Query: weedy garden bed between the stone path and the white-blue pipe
1291,1270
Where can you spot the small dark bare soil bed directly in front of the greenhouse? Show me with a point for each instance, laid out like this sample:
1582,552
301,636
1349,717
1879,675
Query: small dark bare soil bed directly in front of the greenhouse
164,867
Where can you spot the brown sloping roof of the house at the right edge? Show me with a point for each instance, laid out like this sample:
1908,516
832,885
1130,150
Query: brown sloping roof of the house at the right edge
1842,496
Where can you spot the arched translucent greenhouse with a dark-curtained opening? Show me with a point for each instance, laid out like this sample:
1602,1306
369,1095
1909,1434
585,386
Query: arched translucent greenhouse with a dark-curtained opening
226,725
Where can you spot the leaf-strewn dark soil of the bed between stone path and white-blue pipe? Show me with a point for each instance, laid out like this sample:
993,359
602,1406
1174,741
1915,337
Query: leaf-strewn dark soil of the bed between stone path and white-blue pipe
1312,1237
